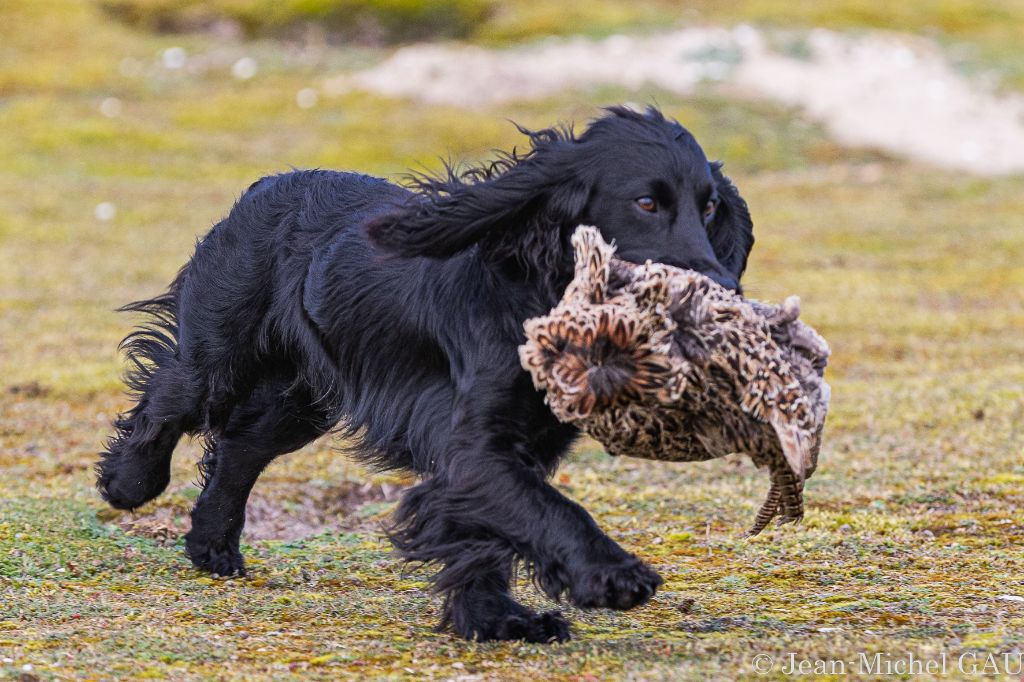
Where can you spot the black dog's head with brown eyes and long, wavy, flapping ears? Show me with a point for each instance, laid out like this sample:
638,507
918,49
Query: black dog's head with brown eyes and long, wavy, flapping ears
642,180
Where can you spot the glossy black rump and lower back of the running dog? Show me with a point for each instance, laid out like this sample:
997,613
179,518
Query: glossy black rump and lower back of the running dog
241,304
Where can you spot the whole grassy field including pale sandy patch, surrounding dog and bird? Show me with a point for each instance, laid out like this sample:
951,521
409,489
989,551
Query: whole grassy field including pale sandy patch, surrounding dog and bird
880,146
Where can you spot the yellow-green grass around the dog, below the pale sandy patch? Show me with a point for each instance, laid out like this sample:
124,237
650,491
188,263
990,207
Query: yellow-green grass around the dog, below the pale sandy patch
916,518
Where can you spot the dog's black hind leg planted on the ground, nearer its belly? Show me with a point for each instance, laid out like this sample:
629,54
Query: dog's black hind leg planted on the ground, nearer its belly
269,424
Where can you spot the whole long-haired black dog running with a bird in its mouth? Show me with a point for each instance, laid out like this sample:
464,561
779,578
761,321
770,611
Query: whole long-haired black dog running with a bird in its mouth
330,297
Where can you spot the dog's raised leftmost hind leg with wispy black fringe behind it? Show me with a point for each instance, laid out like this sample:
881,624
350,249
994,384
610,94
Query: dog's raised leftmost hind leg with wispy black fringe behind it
136,465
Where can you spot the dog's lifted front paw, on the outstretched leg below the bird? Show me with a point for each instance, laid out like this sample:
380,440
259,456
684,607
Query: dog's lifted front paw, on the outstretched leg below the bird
622,585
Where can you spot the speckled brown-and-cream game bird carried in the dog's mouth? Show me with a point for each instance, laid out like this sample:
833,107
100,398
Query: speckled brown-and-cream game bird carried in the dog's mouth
661,363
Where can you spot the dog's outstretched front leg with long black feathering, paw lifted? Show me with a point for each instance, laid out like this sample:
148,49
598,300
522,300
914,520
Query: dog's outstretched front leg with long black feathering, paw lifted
488,502
